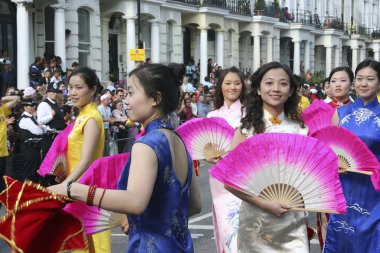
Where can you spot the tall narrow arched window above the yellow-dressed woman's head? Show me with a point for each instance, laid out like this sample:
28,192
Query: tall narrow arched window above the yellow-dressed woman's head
84,36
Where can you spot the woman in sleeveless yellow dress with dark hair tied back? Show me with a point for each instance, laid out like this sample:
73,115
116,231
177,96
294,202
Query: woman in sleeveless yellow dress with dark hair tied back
86,140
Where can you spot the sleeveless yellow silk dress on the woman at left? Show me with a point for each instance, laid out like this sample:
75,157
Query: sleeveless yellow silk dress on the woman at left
102,241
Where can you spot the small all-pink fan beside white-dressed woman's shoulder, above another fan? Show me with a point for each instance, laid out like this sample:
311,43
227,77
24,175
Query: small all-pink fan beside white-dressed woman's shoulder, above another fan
317,116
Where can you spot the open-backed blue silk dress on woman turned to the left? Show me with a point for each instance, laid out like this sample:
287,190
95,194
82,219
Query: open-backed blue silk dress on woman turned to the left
163,226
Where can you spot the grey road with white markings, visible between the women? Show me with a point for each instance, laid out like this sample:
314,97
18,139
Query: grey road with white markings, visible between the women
200,225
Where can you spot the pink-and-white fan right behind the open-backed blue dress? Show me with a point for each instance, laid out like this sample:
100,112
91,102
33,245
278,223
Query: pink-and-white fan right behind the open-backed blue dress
207,137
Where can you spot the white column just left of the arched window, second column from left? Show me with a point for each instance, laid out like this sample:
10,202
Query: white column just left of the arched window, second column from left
59,33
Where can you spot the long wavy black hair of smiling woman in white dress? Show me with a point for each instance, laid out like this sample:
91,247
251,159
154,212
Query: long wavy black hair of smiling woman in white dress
254,104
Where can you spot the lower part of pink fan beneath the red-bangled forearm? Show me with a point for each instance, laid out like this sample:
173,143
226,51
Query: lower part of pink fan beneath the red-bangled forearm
95,219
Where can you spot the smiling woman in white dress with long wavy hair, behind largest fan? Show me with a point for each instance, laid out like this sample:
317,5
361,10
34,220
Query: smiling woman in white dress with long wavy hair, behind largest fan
271,106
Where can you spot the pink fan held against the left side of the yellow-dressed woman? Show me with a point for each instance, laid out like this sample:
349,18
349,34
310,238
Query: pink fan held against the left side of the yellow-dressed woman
54,162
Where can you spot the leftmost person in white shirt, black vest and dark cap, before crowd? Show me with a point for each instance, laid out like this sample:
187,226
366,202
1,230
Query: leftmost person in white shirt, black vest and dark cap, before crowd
30,137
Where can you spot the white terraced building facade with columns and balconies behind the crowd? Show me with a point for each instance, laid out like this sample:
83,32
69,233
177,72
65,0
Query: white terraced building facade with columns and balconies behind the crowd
320,35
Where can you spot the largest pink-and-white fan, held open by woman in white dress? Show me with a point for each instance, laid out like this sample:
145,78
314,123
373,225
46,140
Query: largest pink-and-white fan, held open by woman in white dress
293,169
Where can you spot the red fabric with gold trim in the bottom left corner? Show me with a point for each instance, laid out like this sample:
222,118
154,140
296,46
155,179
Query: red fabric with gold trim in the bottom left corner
35,222
